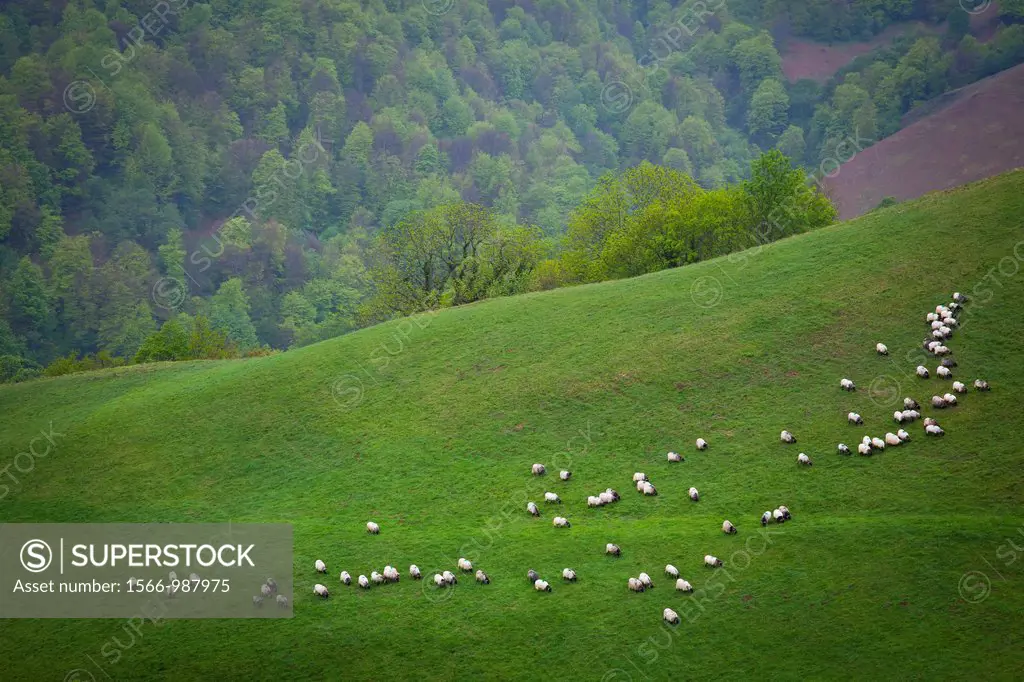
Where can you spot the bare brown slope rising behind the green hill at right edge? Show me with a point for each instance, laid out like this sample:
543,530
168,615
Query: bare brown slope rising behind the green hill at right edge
978,135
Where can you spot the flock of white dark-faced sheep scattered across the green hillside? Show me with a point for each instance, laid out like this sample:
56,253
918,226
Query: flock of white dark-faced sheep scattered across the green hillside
943,321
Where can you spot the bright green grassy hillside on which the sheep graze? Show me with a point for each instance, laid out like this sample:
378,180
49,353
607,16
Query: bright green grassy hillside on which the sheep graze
605,380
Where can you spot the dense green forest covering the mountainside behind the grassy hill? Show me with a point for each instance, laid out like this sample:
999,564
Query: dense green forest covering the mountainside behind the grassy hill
189,181
